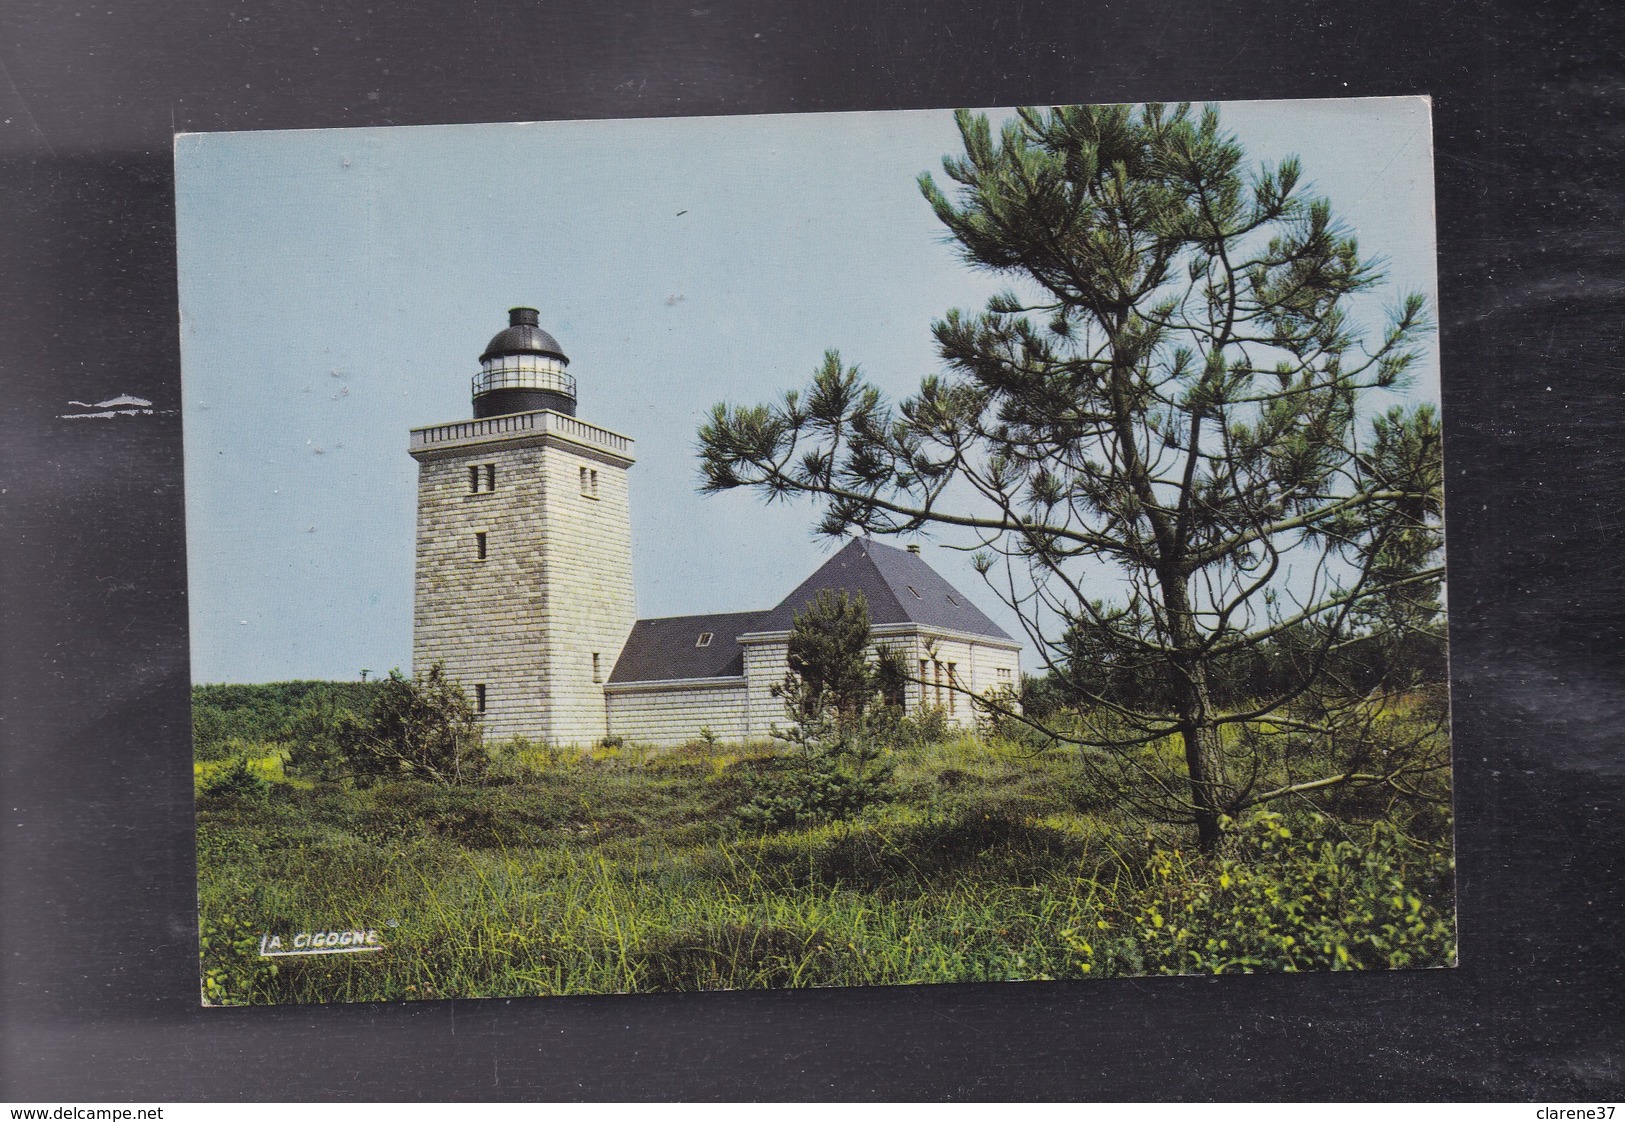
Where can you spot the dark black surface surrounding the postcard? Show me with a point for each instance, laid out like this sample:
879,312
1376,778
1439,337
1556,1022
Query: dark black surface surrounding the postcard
98,975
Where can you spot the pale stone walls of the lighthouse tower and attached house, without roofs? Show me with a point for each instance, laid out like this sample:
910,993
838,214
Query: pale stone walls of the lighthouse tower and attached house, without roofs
542,619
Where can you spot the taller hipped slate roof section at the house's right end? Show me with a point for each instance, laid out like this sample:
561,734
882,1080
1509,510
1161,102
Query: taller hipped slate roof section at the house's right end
899,588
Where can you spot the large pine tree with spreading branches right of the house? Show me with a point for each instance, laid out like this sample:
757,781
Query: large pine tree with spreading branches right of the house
1169,394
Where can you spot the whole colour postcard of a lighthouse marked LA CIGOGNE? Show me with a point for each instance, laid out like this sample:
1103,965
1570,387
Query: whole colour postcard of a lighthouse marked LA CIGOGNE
815,550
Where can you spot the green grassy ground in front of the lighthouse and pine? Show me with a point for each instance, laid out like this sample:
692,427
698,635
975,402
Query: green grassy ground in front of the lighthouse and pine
622,871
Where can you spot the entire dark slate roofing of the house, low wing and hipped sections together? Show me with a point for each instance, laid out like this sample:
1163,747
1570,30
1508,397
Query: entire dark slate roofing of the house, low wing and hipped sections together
898,586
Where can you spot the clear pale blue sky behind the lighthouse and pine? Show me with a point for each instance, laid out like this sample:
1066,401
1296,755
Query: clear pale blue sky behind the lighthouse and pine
337,289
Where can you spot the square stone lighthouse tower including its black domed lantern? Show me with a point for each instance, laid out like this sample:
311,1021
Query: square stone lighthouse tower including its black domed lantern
524,583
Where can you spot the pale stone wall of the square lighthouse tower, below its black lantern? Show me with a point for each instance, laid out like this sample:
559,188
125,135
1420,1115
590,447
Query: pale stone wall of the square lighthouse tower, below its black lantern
553,589
